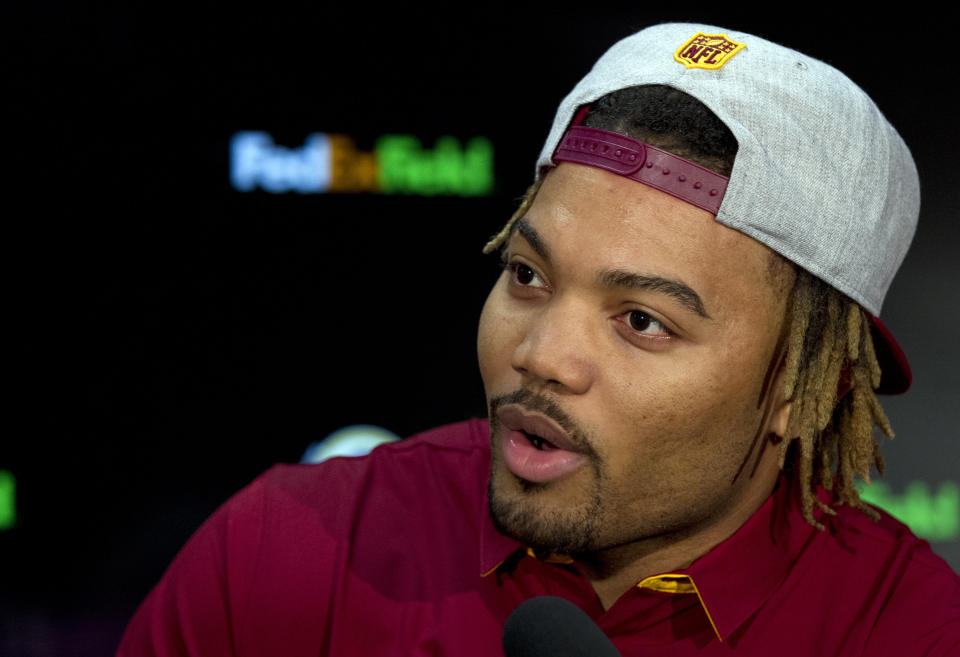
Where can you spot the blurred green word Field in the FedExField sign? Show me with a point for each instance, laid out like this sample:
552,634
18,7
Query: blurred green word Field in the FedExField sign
405,167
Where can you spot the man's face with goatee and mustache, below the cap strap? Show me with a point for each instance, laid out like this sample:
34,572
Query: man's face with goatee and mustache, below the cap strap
638,335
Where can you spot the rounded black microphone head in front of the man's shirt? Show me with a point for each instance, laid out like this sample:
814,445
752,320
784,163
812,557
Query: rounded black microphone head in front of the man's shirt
556,627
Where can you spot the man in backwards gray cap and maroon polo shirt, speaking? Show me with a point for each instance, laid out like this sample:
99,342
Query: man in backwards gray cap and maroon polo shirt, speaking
680,360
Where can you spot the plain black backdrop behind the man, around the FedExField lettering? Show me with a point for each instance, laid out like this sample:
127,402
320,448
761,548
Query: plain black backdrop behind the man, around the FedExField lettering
174,338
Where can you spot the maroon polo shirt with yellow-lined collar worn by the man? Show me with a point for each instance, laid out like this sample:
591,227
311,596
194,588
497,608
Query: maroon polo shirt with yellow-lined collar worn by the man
394,554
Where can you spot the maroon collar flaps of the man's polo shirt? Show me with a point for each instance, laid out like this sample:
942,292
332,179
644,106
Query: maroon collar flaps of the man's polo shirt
734,578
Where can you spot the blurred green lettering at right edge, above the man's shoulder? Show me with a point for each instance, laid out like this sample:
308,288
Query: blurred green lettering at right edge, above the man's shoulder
935,517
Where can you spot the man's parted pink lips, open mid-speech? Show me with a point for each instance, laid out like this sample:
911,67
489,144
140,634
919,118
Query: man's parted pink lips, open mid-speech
523,453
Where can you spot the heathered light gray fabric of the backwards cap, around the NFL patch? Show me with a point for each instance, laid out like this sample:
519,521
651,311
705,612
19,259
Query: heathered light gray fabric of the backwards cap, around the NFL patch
820,176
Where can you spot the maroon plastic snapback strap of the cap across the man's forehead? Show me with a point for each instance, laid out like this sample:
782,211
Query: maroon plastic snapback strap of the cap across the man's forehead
644,163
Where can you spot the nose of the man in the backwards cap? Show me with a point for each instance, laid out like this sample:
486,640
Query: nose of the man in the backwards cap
555,349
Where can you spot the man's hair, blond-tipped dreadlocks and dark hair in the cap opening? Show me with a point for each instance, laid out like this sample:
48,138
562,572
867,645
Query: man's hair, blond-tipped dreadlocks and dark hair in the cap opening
830,368
